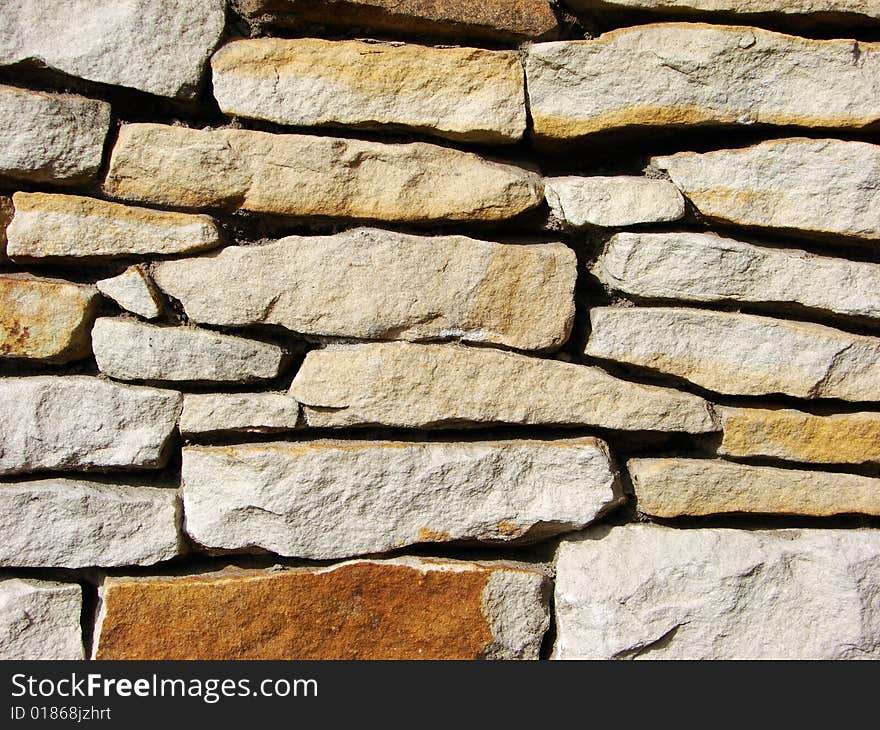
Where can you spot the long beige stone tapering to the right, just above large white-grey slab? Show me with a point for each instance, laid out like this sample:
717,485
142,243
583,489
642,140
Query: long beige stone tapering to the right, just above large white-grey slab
426,386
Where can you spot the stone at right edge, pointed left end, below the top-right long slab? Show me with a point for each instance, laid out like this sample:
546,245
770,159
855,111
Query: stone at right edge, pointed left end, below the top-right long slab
817,186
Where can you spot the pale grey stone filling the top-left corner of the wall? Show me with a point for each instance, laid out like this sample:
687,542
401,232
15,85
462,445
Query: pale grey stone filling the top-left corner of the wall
159,46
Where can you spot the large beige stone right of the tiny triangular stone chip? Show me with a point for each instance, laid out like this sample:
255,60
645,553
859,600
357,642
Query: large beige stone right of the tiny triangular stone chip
521,296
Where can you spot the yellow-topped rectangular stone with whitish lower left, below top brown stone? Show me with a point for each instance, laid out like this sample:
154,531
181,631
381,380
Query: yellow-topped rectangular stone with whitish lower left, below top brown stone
465,94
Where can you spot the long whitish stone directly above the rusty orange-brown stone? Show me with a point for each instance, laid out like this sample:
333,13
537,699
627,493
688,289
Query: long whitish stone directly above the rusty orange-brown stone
309,499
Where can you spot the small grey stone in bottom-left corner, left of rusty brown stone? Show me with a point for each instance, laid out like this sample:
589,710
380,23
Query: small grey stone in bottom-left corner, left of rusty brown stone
40,620
